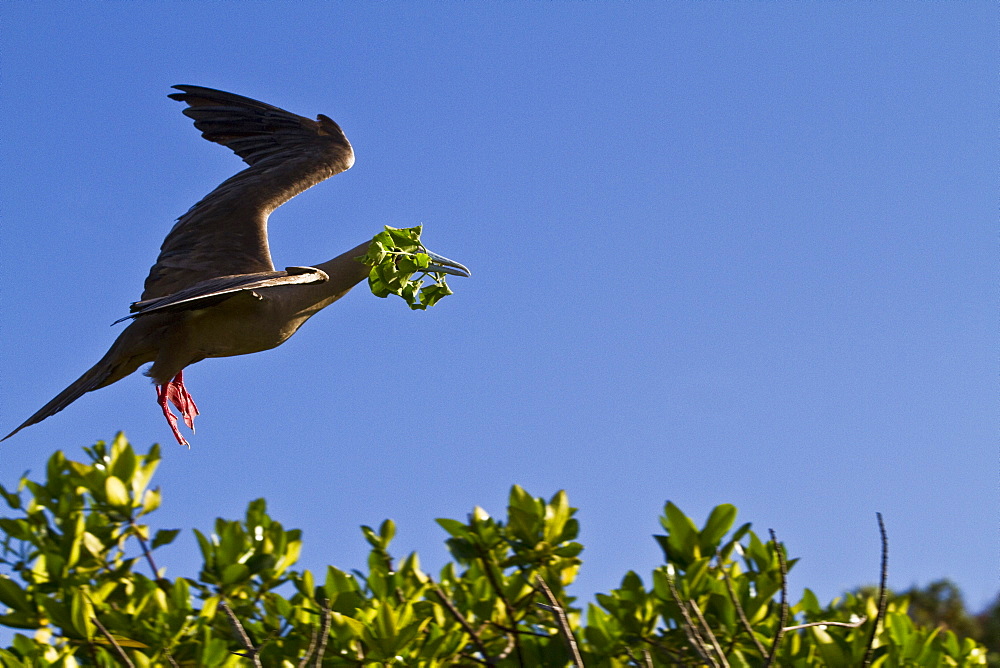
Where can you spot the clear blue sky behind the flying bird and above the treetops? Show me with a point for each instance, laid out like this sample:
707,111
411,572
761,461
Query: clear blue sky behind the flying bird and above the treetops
722,252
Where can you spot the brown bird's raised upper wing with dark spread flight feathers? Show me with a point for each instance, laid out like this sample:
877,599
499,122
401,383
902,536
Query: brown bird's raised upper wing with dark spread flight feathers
225,233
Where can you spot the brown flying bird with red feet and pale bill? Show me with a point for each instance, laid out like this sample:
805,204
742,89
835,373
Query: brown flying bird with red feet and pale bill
214,291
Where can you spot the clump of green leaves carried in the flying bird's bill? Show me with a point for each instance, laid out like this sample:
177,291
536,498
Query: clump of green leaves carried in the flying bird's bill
395,255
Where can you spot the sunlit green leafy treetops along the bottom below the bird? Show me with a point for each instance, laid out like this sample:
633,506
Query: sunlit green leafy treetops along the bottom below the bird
73,547
